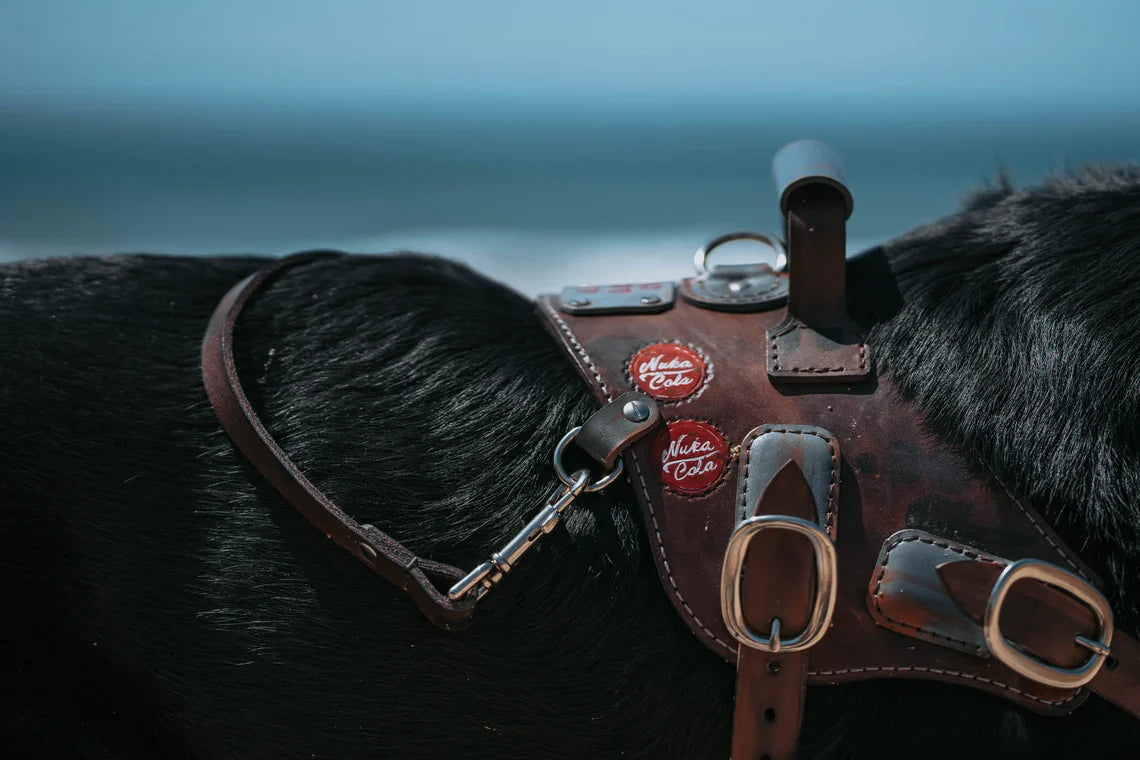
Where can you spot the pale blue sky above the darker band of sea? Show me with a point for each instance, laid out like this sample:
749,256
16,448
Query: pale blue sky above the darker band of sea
584,52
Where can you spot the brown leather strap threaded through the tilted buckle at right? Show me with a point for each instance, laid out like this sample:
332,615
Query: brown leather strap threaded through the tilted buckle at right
1046,622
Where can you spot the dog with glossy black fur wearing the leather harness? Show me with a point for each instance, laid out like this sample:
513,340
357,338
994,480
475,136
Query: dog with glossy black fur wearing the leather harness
164,602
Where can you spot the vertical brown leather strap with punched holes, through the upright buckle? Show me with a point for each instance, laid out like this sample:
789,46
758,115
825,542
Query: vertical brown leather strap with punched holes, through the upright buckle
779,583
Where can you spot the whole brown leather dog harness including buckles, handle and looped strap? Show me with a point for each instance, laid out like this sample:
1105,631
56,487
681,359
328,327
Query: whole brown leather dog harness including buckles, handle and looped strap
804,526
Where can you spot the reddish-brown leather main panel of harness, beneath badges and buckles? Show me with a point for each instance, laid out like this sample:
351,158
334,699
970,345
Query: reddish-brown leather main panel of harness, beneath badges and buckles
895,478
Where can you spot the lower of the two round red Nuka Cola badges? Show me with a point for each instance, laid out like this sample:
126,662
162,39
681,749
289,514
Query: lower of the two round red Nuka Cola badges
693,455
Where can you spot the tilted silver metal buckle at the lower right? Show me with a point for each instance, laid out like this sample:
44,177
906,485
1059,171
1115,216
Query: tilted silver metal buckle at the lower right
1029,666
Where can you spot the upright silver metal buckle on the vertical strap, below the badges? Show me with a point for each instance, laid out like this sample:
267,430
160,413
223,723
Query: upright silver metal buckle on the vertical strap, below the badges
826,584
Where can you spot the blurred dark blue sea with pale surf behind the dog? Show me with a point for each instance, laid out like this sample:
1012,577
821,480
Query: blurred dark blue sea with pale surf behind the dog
534,200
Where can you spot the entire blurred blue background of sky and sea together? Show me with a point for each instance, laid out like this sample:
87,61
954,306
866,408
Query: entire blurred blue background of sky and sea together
545,144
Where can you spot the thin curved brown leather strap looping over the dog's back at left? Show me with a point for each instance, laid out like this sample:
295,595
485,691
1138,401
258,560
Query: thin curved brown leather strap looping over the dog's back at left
382,554
